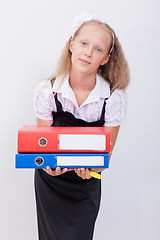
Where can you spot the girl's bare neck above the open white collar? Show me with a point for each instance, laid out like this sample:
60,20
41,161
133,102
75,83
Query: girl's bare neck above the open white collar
82,81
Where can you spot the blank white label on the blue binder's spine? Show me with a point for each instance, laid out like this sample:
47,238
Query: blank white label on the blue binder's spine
80,161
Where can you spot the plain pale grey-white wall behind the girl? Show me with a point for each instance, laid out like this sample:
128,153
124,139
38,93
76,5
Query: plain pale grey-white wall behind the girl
32,36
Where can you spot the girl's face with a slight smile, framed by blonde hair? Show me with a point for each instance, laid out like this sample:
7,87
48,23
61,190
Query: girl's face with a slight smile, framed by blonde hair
90,49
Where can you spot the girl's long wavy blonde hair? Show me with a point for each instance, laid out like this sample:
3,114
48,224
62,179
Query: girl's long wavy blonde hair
115,71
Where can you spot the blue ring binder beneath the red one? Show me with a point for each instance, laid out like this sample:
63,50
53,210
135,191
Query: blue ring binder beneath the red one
67,160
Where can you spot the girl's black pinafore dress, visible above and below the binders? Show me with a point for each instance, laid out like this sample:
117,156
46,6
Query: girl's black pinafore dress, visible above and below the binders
67,205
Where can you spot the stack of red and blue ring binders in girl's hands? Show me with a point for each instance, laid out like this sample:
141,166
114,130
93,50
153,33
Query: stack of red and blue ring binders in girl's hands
65,147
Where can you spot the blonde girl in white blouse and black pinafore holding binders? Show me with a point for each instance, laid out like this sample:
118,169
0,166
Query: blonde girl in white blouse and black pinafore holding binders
87,90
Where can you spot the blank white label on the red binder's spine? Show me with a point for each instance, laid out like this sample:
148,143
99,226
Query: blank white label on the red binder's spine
82,142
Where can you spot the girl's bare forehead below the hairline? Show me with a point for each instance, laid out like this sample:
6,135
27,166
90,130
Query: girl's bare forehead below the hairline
94,31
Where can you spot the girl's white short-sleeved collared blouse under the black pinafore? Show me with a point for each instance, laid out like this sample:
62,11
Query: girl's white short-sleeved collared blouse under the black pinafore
91,108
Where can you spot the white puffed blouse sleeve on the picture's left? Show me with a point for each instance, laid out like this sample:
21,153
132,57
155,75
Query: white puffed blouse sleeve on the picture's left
43,100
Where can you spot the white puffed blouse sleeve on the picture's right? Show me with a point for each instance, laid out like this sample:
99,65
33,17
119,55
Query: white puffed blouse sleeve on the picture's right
116,107
